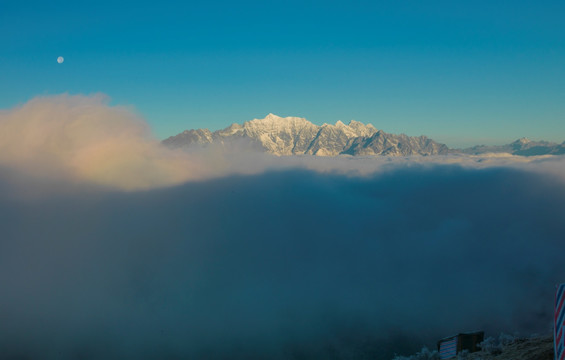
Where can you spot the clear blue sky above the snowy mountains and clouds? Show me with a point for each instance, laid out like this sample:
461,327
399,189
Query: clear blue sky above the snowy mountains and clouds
459,72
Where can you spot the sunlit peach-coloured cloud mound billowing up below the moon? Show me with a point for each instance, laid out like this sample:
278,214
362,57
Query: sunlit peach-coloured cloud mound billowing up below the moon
80,138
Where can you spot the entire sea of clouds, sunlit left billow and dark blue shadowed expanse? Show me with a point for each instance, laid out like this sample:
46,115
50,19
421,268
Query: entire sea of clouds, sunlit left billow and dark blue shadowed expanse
112,246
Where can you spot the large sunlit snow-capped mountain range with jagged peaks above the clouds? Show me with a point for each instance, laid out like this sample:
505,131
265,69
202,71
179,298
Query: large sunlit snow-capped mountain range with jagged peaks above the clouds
297,136
